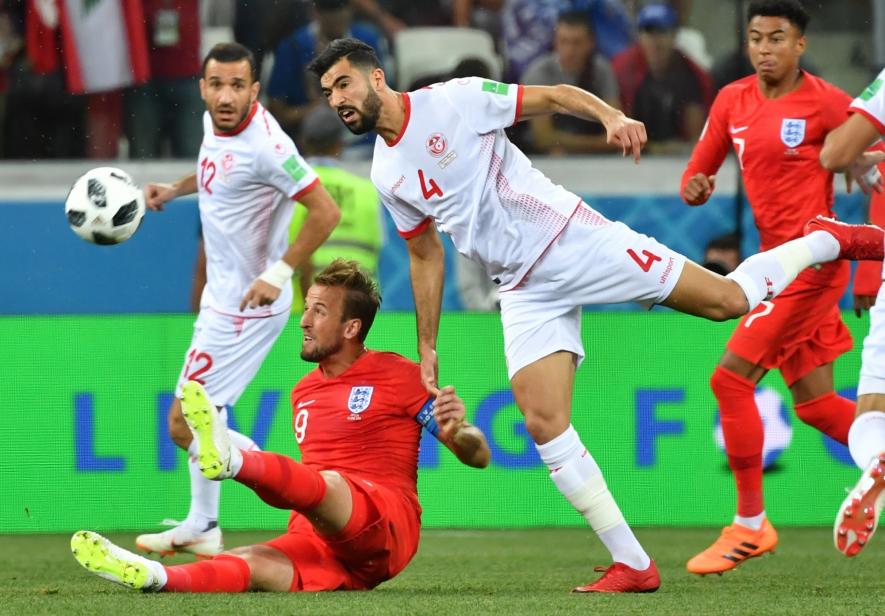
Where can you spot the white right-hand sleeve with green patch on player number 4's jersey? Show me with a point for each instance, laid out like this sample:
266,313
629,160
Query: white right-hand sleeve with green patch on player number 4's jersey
485,105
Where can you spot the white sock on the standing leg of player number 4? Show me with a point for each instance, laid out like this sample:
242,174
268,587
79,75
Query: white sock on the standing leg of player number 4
578,478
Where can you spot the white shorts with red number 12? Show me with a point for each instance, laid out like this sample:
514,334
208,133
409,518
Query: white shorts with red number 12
226,352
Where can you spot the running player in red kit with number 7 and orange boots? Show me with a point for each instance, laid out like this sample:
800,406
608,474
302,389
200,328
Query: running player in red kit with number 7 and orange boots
776,122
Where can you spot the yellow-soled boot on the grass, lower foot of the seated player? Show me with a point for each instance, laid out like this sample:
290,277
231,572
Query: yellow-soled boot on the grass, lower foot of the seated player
104,559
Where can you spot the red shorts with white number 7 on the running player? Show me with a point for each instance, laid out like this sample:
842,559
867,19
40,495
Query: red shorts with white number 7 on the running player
800,329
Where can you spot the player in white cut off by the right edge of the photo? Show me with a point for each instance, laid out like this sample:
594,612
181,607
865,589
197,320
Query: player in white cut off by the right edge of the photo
859,514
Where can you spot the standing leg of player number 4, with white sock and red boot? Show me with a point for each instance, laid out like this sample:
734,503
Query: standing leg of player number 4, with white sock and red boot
543,392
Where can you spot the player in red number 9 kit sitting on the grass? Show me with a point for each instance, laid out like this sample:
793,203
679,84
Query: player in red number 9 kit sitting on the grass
357,418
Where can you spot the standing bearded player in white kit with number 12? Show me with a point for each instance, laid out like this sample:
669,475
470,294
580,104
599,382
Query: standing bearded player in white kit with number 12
249,175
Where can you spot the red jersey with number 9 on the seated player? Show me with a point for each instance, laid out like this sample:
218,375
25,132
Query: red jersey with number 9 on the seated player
363,422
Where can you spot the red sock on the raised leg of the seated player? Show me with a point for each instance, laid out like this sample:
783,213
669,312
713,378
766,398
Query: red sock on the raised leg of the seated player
282,482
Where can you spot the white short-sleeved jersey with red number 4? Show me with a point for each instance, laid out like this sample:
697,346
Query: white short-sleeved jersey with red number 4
452,164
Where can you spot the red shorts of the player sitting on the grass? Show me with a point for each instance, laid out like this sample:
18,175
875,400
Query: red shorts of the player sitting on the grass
361,557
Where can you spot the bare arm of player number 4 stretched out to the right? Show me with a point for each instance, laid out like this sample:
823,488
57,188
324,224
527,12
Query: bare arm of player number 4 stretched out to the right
620,130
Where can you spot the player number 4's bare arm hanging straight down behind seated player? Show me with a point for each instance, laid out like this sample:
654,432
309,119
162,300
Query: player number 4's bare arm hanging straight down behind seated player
427,271
